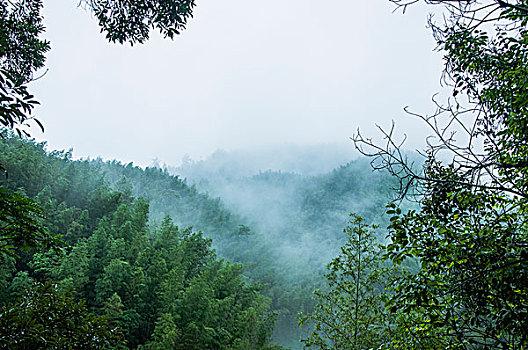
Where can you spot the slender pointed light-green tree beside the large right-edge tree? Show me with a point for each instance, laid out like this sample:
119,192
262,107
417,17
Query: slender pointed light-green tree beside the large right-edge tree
351,313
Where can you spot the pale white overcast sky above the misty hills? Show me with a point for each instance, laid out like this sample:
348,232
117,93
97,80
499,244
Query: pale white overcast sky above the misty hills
244,74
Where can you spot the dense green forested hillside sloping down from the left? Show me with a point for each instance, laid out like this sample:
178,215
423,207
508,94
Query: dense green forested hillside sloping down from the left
155,284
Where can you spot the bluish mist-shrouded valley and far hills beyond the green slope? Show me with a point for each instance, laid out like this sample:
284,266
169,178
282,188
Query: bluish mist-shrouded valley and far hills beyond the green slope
296,201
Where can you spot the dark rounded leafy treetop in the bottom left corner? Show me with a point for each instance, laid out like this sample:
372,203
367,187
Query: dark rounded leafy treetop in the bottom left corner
43,318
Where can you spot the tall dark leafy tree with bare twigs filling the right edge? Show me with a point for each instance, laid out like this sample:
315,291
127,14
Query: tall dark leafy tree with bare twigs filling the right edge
470,233
